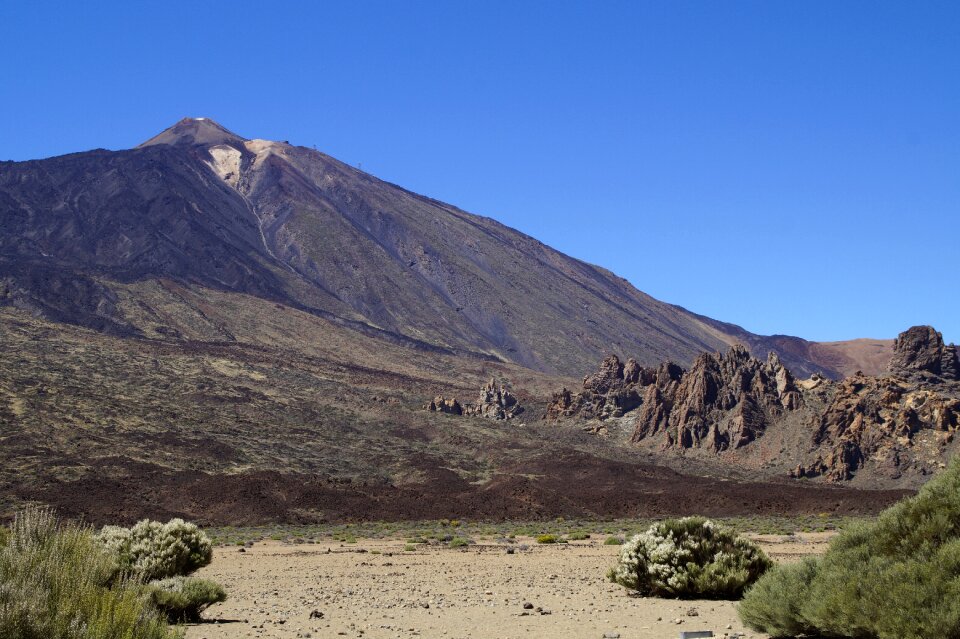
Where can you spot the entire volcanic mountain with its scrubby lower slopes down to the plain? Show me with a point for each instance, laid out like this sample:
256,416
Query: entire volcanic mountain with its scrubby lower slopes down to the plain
242,331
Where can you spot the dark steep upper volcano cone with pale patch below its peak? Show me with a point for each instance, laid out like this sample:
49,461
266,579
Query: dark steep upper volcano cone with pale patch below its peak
85,234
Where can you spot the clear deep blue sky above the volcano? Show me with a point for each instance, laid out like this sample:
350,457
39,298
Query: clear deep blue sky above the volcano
790,167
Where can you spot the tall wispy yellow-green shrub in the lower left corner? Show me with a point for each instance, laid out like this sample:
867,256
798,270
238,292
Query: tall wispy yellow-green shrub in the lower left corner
57,582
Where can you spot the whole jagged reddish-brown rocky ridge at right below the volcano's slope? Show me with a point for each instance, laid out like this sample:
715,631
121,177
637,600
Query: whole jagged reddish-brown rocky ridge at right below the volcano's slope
726,405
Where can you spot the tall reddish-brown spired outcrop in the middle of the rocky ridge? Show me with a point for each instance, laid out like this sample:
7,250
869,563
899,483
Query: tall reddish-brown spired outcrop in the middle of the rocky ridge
723,401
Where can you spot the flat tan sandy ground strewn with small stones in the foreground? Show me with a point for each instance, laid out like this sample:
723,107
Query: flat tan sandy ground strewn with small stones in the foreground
477,592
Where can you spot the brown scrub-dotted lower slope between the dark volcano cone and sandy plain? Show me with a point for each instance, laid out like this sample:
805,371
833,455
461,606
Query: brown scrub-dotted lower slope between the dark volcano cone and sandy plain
114,429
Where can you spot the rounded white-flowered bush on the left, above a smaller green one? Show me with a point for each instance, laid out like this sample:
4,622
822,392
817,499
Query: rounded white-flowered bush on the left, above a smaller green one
151,550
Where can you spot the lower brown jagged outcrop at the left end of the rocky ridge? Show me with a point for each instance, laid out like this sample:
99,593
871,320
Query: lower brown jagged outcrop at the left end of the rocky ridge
614,390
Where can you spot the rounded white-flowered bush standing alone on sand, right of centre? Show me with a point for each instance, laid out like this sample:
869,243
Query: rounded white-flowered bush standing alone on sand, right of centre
689,557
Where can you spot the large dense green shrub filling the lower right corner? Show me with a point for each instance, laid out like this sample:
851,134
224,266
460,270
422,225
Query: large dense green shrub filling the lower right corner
893,579
